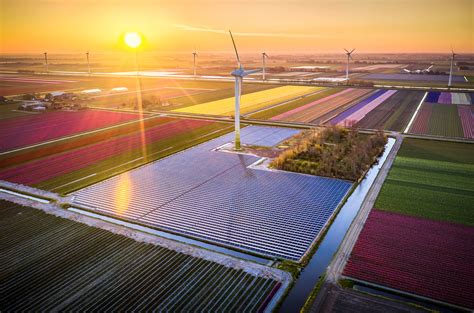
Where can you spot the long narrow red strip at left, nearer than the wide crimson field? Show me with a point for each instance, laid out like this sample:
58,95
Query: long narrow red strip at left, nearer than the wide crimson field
60,164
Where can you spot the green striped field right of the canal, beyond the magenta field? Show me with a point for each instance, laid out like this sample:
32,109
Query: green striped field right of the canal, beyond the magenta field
432,180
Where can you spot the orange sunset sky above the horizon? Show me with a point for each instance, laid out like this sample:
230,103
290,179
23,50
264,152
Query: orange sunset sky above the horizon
275,25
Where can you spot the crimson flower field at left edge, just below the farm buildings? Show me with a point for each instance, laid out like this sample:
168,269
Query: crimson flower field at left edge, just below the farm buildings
28,130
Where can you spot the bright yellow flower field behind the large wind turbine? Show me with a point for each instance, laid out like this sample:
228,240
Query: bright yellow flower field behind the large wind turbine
249,102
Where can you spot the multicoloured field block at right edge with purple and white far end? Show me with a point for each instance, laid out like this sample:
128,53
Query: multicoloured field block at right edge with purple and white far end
445,114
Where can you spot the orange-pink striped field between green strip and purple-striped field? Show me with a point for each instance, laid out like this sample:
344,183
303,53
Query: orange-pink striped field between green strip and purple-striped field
323,108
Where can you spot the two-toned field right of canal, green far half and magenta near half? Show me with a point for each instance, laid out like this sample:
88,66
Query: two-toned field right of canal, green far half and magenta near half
419,236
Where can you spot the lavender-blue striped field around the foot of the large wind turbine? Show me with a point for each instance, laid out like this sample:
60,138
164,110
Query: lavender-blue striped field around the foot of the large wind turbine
214,196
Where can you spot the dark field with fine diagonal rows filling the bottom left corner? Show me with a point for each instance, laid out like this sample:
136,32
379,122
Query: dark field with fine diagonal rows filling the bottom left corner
51,263
